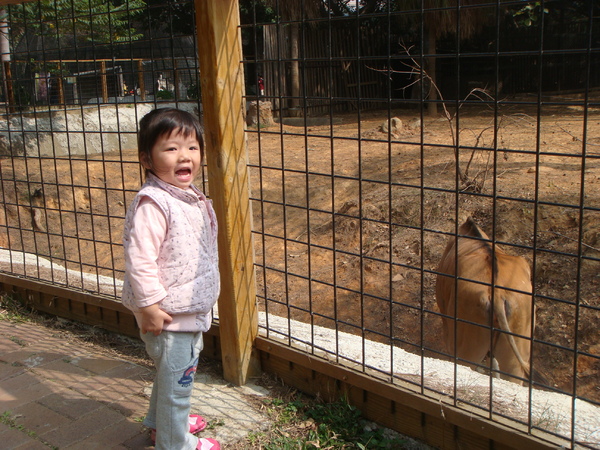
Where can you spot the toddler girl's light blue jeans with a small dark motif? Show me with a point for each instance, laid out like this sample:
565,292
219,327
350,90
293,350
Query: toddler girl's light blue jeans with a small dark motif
175,356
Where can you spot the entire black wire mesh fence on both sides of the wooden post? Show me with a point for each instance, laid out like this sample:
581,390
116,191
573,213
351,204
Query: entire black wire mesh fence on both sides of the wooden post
375,130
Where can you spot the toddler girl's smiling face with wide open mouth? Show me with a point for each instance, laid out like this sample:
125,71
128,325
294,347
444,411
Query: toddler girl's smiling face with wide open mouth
176,159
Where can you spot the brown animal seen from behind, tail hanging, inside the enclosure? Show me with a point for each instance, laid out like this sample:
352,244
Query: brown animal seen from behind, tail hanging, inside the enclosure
510,312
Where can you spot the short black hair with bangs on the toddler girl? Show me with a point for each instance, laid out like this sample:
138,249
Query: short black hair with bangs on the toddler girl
164,121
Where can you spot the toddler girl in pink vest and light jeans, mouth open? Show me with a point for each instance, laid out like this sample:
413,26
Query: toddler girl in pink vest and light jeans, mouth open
171,271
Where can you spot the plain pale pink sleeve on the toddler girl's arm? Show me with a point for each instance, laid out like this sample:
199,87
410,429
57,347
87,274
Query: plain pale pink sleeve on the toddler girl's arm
148,231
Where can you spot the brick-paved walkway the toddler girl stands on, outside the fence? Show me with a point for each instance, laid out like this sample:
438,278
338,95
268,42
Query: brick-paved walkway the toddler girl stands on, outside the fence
57,394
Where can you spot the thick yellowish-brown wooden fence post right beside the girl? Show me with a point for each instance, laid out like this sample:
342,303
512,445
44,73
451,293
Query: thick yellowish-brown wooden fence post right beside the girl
222,78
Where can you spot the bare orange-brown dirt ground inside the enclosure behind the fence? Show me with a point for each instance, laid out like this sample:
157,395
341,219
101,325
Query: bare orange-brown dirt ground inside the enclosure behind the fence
357,220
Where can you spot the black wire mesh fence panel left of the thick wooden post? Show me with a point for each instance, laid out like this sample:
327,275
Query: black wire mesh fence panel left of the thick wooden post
77,78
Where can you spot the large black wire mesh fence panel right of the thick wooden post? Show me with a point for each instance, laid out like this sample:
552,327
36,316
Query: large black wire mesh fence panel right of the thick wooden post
413,117
